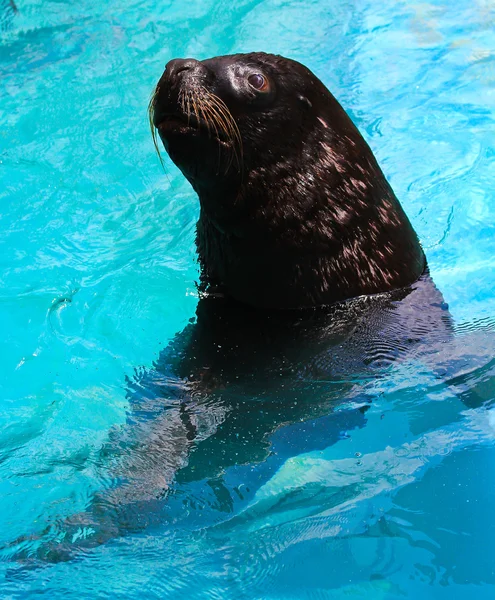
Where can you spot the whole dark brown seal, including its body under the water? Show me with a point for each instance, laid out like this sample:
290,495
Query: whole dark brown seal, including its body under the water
315,285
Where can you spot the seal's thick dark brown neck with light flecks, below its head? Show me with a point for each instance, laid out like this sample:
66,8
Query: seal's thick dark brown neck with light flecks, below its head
292,238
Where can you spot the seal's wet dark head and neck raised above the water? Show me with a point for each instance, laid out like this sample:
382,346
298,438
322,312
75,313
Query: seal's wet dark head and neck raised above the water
295,211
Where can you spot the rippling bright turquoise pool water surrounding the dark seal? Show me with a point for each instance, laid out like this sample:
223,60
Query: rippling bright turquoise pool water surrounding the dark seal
97,272
